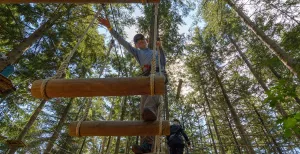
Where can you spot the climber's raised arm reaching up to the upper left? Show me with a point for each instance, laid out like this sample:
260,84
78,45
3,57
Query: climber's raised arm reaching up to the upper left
120,39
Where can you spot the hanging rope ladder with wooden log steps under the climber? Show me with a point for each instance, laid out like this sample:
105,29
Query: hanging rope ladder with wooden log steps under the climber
152,85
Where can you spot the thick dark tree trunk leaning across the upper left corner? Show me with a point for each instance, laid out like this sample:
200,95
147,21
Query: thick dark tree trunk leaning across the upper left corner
17,51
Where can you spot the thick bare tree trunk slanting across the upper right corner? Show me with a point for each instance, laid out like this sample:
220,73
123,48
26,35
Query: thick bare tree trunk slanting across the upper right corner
288,61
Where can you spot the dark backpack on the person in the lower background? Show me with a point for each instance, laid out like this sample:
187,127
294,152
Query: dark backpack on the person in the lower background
175,137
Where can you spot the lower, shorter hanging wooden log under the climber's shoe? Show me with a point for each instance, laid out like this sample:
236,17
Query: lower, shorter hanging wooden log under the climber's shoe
119,128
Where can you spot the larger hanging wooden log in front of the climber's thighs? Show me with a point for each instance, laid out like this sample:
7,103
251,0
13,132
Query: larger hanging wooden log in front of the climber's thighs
97,87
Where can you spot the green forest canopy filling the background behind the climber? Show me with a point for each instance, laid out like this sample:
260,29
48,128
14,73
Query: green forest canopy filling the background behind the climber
208,52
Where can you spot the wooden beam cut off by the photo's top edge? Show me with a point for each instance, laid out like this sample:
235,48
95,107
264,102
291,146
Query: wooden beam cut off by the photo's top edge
78,1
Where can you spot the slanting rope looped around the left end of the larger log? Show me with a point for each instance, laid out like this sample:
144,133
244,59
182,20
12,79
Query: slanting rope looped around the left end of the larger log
65,63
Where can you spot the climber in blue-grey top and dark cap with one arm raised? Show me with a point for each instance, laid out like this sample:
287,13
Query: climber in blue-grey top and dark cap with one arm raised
149,104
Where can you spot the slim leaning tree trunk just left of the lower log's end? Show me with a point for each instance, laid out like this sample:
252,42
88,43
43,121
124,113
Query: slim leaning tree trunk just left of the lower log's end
58,127
